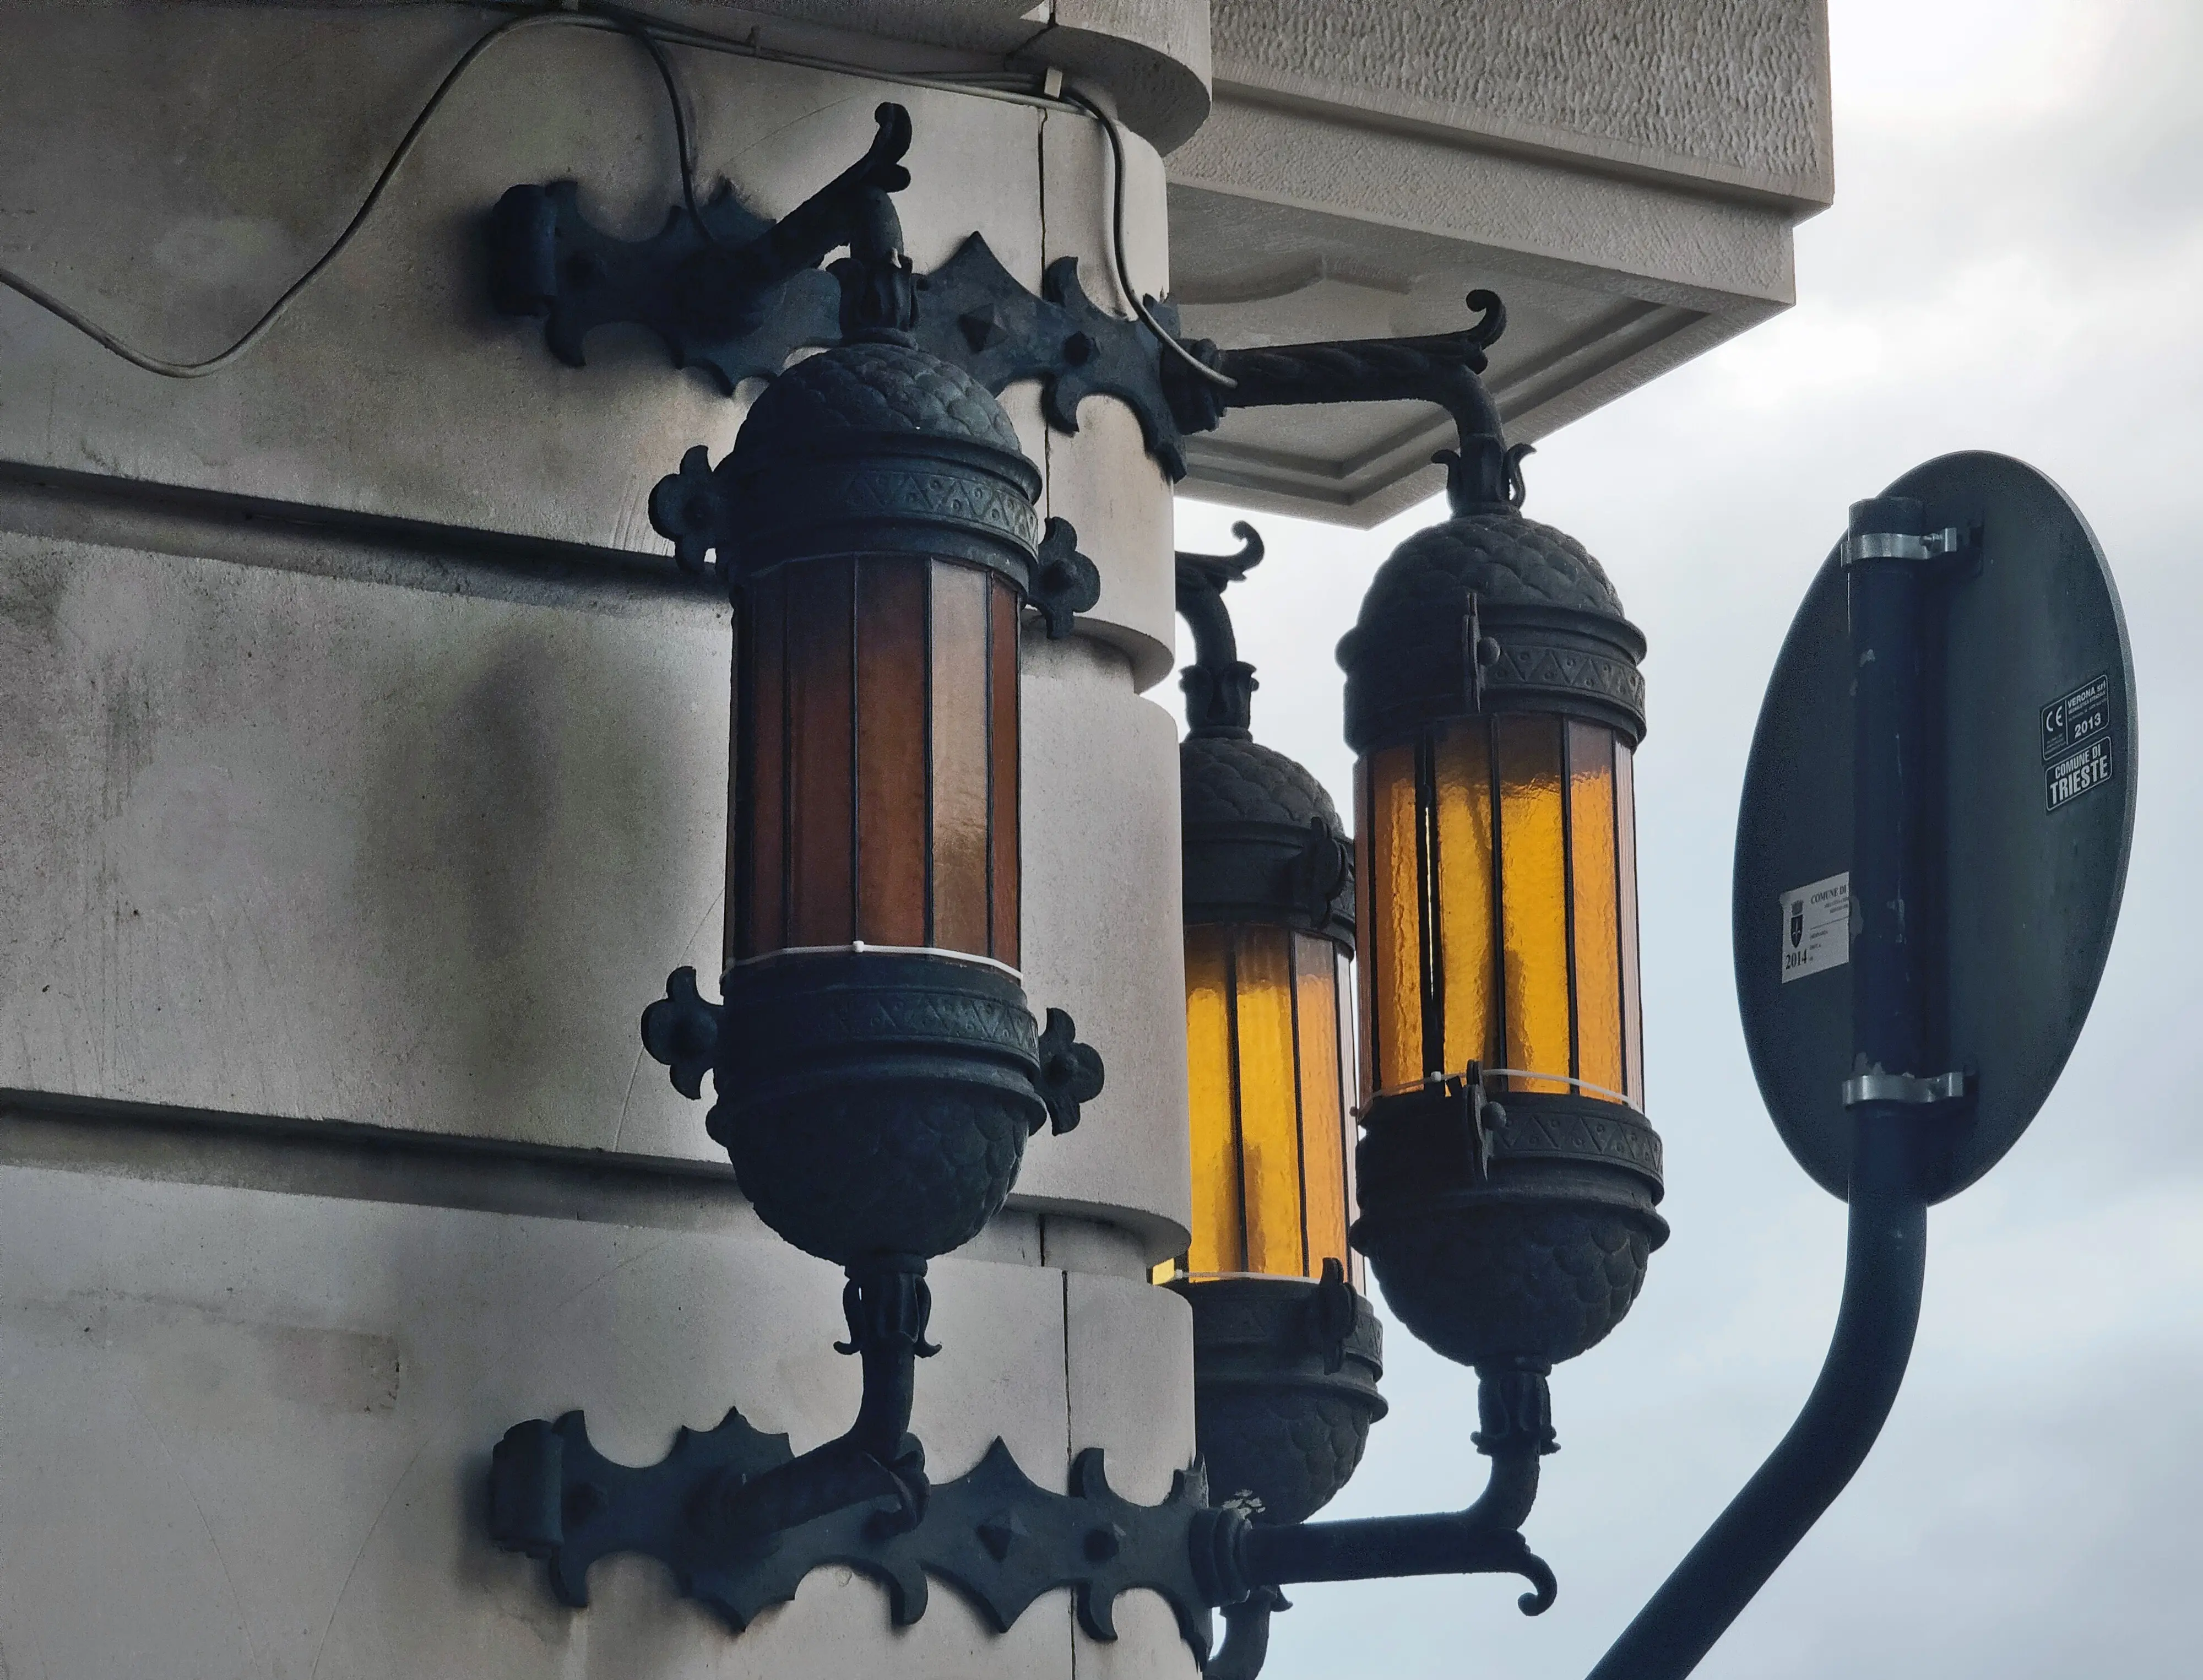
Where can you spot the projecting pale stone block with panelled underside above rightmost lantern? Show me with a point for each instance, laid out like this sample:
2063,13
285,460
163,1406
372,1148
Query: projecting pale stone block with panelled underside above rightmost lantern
1627,177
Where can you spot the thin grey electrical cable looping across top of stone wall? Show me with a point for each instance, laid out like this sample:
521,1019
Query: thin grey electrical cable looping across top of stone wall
655,34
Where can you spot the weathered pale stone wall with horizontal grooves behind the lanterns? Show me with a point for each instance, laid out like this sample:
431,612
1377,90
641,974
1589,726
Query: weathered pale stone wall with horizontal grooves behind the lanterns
362,775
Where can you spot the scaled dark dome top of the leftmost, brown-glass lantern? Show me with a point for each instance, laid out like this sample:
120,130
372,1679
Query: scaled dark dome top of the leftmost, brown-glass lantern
871,391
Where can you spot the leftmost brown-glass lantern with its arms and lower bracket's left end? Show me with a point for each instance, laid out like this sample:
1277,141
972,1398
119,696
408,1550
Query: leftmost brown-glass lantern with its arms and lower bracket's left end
876,1062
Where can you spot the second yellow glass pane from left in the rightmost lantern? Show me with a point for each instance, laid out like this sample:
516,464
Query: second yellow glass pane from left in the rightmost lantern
1462,762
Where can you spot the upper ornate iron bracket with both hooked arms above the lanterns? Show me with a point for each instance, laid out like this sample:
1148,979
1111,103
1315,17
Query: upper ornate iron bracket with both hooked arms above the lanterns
737,297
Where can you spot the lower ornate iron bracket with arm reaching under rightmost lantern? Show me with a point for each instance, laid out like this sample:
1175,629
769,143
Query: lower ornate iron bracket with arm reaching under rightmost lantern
992,1533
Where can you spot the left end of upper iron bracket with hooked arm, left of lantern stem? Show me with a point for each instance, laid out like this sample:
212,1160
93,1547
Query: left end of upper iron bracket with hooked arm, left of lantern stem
726,290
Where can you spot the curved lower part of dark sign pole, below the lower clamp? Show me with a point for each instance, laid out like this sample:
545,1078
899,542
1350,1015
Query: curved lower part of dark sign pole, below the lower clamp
1852,1399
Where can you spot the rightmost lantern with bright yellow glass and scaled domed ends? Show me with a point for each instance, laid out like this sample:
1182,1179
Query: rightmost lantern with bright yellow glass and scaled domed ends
1493,696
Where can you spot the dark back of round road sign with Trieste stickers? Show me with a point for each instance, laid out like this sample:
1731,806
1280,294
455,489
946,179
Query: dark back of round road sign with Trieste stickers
2032,812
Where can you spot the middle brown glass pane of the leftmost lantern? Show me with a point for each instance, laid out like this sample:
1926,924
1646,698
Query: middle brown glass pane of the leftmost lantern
891,751
